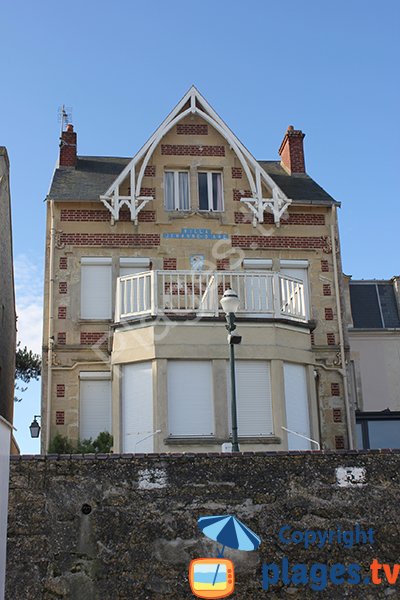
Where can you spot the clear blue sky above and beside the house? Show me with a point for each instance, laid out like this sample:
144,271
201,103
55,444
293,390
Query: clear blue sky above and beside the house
329,68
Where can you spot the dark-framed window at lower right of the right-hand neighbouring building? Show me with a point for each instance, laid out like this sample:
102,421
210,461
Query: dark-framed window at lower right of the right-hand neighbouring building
378,429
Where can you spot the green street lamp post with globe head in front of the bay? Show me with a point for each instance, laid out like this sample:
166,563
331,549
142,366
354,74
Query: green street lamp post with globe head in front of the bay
230,304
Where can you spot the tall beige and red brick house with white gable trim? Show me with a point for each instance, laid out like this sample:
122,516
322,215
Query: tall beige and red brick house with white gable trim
139,252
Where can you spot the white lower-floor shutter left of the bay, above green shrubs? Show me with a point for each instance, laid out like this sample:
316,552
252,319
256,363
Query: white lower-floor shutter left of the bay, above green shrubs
95,405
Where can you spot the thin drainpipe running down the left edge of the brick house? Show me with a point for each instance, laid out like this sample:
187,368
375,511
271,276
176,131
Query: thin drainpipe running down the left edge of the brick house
50,341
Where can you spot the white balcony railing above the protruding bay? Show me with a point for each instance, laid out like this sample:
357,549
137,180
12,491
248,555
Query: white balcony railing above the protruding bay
154,293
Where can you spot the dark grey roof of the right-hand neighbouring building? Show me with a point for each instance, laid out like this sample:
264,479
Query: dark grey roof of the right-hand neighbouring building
373,305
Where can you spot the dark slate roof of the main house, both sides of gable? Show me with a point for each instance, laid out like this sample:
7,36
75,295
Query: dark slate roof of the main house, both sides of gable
93,175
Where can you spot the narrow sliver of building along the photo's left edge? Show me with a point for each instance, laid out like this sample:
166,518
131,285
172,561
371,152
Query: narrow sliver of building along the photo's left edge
7,351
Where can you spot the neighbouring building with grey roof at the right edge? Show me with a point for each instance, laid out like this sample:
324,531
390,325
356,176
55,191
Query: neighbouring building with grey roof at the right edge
374,334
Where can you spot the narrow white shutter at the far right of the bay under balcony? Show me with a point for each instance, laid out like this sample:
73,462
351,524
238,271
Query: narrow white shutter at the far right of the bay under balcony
296,401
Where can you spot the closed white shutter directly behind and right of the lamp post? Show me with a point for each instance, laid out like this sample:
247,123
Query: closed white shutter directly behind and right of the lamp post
253,398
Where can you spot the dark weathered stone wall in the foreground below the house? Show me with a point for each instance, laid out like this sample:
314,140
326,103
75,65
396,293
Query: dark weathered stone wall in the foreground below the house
123,526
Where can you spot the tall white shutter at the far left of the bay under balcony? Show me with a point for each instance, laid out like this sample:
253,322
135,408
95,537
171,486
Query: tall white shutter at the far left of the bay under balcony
137,407
